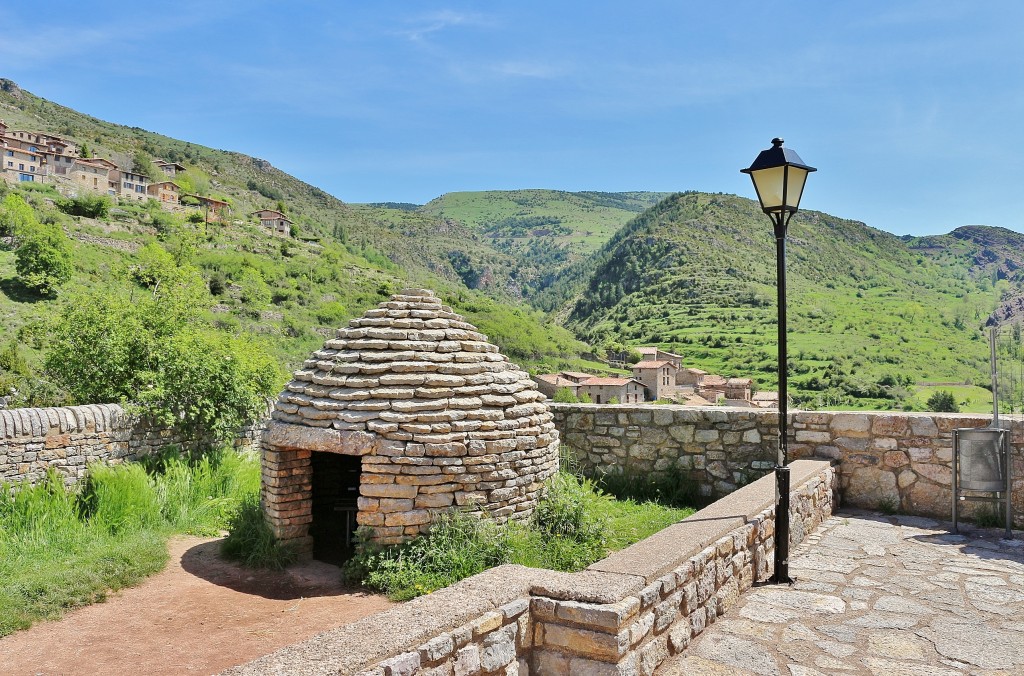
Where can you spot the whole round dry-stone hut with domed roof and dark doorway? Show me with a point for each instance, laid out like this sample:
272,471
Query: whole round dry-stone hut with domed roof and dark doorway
406,414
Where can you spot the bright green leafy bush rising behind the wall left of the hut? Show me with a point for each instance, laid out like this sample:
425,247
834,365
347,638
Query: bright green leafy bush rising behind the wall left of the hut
151,352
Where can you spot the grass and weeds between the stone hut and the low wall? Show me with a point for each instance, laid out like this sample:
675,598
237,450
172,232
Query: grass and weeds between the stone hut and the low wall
574,526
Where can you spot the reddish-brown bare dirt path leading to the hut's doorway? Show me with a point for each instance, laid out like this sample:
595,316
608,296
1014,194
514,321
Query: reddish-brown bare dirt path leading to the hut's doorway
200,615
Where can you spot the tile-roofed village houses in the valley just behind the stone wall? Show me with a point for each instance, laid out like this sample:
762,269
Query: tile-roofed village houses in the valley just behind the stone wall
659,376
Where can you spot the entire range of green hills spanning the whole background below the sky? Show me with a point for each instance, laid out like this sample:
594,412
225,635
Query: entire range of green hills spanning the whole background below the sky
871,315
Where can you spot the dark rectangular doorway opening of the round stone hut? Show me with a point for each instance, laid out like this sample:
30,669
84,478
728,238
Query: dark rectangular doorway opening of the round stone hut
336,492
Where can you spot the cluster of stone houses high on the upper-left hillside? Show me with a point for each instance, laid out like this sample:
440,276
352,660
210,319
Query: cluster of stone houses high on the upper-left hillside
32,157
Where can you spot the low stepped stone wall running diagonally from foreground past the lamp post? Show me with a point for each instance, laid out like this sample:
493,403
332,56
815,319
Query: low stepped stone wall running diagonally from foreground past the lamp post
625,615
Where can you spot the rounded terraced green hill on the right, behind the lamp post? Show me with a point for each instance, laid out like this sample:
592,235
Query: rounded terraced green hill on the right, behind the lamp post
870,313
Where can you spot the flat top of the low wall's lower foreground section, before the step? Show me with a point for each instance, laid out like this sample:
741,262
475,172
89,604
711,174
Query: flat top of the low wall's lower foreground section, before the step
351,648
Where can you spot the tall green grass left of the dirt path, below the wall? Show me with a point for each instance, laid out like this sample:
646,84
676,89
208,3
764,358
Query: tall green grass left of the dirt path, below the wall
66,547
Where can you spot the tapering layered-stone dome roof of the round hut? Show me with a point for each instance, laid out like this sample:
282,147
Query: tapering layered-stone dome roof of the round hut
411,358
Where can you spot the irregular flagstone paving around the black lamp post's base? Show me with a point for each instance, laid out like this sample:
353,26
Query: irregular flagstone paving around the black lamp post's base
880,596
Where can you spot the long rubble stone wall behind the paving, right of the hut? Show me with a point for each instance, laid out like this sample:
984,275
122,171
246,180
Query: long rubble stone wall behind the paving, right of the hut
899,461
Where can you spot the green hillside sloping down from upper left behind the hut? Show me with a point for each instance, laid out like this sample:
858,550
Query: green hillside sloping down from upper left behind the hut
290,292
